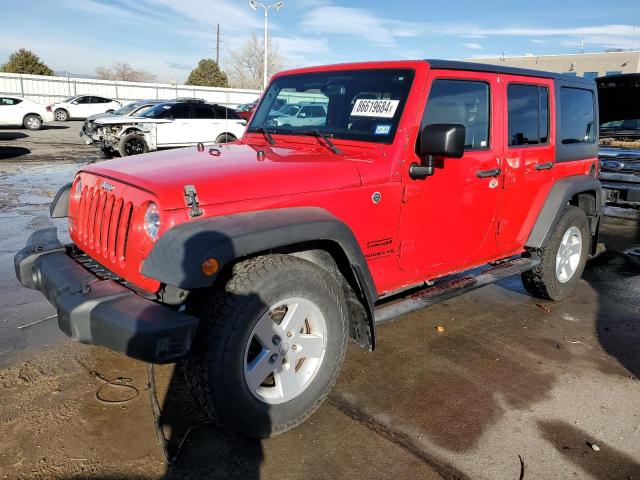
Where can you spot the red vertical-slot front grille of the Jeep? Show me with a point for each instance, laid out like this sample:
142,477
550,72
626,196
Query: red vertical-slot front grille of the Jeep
103,225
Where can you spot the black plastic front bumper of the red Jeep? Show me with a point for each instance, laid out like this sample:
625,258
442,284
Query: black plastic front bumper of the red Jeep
102,312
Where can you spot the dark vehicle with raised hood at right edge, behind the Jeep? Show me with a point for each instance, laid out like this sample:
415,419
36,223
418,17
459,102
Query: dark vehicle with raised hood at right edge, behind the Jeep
619,154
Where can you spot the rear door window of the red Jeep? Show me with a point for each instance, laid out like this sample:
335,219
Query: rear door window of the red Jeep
528,114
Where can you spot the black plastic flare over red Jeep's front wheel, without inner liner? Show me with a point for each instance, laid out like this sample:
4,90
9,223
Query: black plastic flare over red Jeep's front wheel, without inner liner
177,256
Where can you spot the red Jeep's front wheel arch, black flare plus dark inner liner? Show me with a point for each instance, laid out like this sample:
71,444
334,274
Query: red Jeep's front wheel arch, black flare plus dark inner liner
308,232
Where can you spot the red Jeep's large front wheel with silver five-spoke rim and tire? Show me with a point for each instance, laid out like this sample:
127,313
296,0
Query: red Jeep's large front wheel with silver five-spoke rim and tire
270,347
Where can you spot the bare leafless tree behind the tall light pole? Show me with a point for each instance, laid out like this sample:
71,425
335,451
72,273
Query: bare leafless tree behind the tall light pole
245,65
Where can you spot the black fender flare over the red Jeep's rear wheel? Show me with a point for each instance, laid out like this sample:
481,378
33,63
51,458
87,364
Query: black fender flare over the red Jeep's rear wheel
582,191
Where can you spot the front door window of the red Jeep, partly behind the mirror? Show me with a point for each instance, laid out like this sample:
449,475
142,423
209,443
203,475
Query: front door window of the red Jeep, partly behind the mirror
461,101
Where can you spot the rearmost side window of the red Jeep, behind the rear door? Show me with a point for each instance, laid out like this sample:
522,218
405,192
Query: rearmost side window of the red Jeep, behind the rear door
577,116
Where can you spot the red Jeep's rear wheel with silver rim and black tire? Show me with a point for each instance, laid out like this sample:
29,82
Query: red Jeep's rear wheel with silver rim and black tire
563,258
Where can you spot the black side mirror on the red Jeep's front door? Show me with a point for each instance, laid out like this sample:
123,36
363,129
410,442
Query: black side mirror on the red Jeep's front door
438,140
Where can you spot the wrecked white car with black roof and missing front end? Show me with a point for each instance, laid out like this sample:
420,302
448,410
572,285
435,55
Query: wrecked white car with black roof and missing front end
175,123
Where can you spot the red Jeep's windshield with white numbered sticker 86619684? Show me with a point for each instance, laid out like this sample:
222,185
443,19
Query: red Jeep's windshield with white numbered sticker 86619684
361,105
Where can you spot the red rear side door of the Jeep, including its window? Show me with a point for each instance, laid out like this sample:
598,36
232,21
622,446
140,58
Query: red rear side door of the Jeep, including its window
529,156
